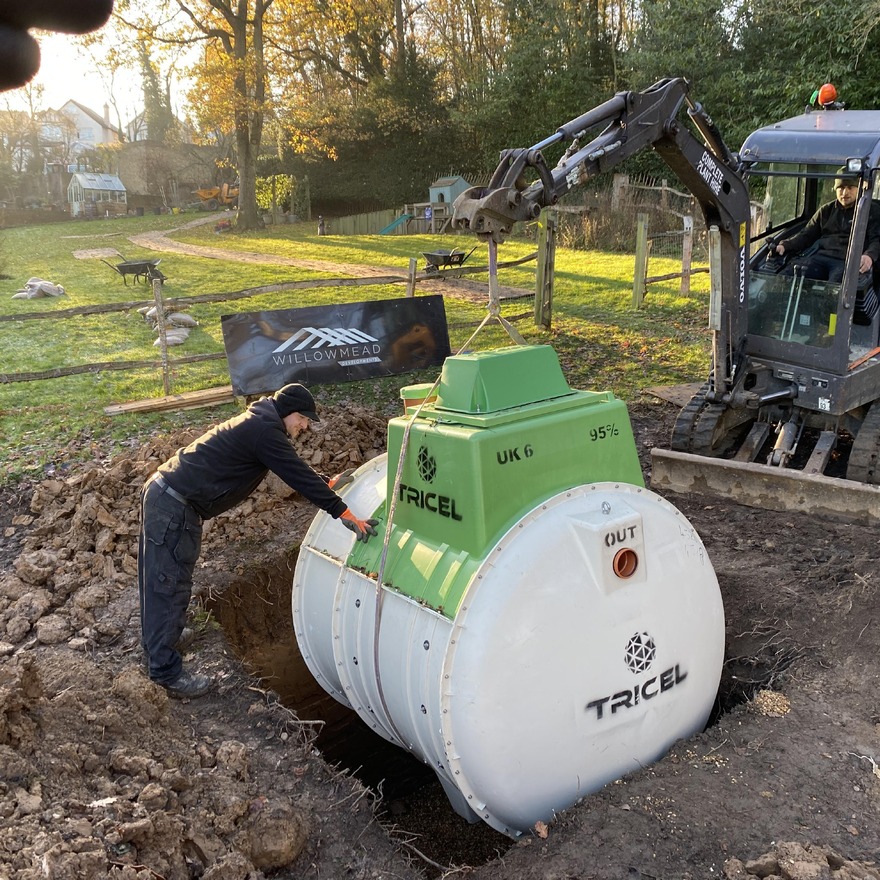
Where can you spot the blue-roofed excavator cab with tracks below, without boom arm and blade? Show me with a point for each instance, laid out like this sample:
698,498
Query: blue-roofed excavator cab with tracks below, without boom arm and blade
804,394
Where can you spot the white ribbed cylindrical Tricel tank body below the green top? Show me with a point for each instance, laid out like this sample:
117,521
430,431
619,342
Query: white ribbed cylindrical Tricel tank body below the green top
588,640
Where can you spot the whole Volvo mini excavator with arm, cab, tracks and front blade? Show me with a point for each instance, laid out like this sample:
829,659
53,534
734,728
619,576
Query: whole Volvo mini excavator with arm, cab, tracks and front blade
788,417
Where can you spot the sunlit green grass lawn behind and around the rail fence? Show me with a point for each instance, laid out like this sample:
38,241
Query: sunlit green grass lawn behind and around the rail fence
602,343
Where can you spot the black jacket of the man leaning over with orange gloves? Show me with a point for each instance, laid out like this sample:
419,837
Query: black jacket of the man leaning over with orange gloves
223,466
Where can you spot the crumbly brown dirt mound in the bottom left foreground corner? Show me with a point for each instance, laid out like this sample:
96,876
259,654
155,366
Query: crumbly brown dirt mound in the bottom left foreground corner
128,788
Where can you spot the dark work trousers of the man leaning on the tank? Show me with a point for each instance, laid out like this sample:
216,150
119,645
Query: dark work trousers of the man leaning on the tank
168,548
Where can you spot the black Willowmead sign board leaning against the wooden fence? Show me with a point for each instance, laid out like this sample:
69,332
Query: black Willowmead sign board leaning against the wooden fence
338,343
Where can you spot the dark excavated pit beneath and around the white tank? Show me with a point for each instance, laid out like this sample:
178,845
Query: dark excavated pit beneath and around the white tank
255,613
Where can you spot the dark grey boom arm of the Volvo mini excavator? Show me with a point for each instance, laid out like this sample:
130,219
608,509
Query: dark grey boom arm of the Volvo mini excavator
633,122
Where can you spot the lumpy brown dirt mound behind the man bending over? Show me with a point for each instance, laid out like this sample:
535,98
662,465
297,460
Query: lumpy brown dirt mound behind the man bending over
81,544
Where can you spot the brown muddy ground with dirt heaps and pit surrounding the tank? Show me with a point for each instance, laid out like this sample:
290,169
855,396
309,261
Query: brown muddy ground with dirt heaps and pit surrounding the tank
102,776
